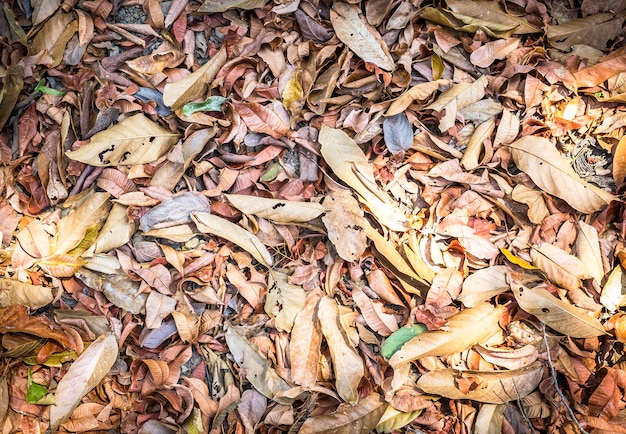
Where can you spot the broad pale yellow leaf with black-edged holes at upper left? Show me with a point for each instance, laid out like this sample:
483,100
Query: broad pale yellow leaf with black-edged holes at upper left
135,140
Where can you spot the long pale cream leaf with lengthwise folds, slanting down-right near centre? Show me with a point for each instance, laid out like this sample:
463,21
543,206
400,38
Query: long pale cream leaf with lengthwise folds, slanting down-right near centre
348,162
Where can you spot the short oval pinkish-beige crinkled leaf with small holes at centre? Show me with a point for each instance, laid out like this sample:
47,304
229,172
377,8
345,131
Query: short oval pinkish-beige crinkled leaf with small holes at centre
344,223
